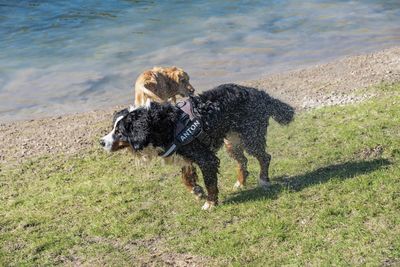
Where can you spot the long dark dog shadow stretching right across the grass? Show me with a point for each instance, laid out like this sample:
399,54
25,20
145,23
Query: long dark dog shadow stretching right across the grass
296,183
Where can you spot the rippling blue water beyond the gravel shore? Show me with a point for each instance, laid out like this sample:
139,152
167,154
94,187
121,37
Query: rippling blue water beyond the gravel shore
69,56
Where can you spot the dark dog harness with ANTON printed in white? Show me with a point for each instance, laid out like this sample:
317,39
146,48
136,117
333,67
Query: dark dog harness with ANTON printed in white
188,128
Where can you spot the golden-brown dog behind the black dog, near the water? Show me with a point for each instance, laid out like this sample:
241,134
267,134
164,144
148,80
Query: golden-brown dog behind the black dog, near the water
162,84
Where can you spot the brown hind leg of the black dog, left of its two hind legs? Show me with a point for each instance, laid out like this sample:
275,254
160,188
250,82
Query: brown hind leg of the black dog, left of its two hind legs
235,150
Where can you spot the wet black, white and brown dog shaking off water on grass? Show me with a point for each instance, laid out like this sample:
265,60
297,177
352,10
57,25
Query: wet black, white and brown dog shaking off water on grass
238,113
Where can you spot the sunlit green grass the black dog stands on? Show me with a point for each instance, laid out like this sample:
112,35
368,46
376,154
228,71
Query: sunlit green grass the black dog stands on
335,200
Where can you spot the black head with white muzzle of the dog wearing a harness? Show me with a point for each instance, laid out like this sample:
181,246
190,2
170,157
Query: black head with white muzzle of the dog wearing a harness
138,127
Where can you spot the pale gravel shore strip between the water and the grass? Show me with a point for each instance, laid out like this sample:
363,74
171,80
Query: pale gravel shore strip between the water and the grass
320,85
